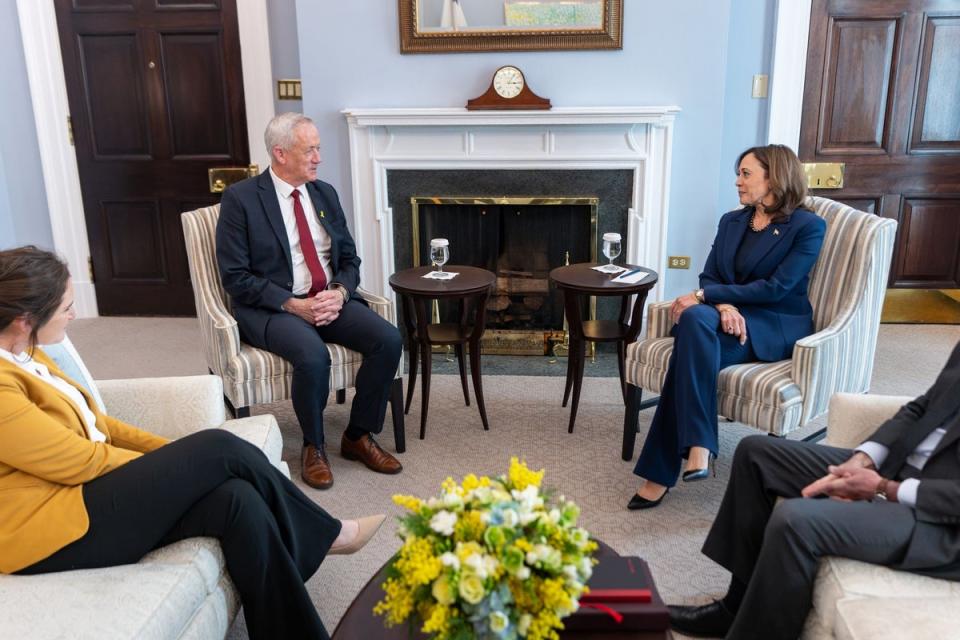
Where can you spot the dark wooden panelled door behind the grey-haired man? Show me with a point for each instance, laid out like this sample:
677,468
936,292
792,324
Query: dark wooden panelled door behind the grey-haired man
156,98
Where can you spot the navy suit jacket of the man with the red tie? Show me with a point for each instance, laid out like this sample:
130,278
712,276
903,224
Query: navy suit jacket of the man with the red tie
253,251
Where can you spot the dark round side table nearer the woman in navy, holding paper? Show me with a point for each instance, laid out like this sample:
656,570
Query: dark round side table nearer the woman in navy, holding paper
581,279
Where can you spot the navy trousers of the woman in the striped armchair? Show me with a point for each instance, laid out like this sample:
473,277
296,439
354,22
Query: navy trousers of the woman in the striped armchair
686,415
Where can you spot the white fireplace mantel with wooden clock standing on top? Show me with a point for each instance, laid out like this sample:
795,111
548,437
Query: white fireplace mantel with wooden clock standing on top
585,138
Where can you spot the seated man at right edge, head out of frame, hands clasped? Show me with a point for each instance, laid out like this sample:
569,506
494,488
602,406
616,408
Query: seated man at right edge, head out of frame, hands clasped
895,501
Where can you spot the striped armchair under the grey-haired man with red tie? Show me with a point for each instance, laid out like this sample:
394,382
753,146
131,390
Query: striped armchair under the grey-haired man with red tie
250,375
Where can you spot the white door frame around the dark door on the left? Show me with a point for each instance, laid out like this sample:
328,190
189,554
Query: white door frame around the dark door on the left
41,48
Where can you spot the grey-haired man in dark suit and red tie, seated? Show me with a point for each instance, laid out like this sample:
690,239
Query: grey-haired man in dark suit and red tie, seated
290,266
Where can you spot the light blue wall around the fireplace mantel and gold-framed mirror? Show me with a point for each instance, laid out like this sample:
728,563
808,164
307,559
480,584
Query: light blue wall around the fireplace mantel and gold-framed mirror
673,53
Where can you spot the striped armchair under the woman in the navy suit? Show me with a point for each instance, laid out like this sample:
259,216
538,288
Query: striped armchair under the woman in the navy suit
847,286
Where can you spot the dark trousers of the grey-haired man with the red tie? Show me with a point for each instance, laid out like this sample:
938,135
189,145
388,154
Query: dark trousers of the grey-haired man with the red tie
358,328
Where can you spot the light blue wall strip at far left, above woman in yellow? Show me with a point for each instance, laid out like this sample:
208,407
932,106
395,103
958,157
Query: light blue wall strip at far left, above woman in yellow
23,202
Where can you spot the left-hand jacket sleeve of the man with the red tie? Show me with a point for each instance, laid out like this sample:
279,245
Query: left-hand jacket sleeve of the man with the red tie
239,278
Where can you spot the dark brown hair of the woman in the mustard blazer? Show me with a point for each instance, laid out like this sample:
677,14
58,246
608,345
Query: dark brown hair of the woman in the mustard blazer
32,283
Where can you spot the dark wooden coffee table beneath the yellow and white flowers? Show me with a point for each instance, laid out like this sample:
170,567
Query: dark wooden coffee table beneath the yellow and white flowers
360,622
